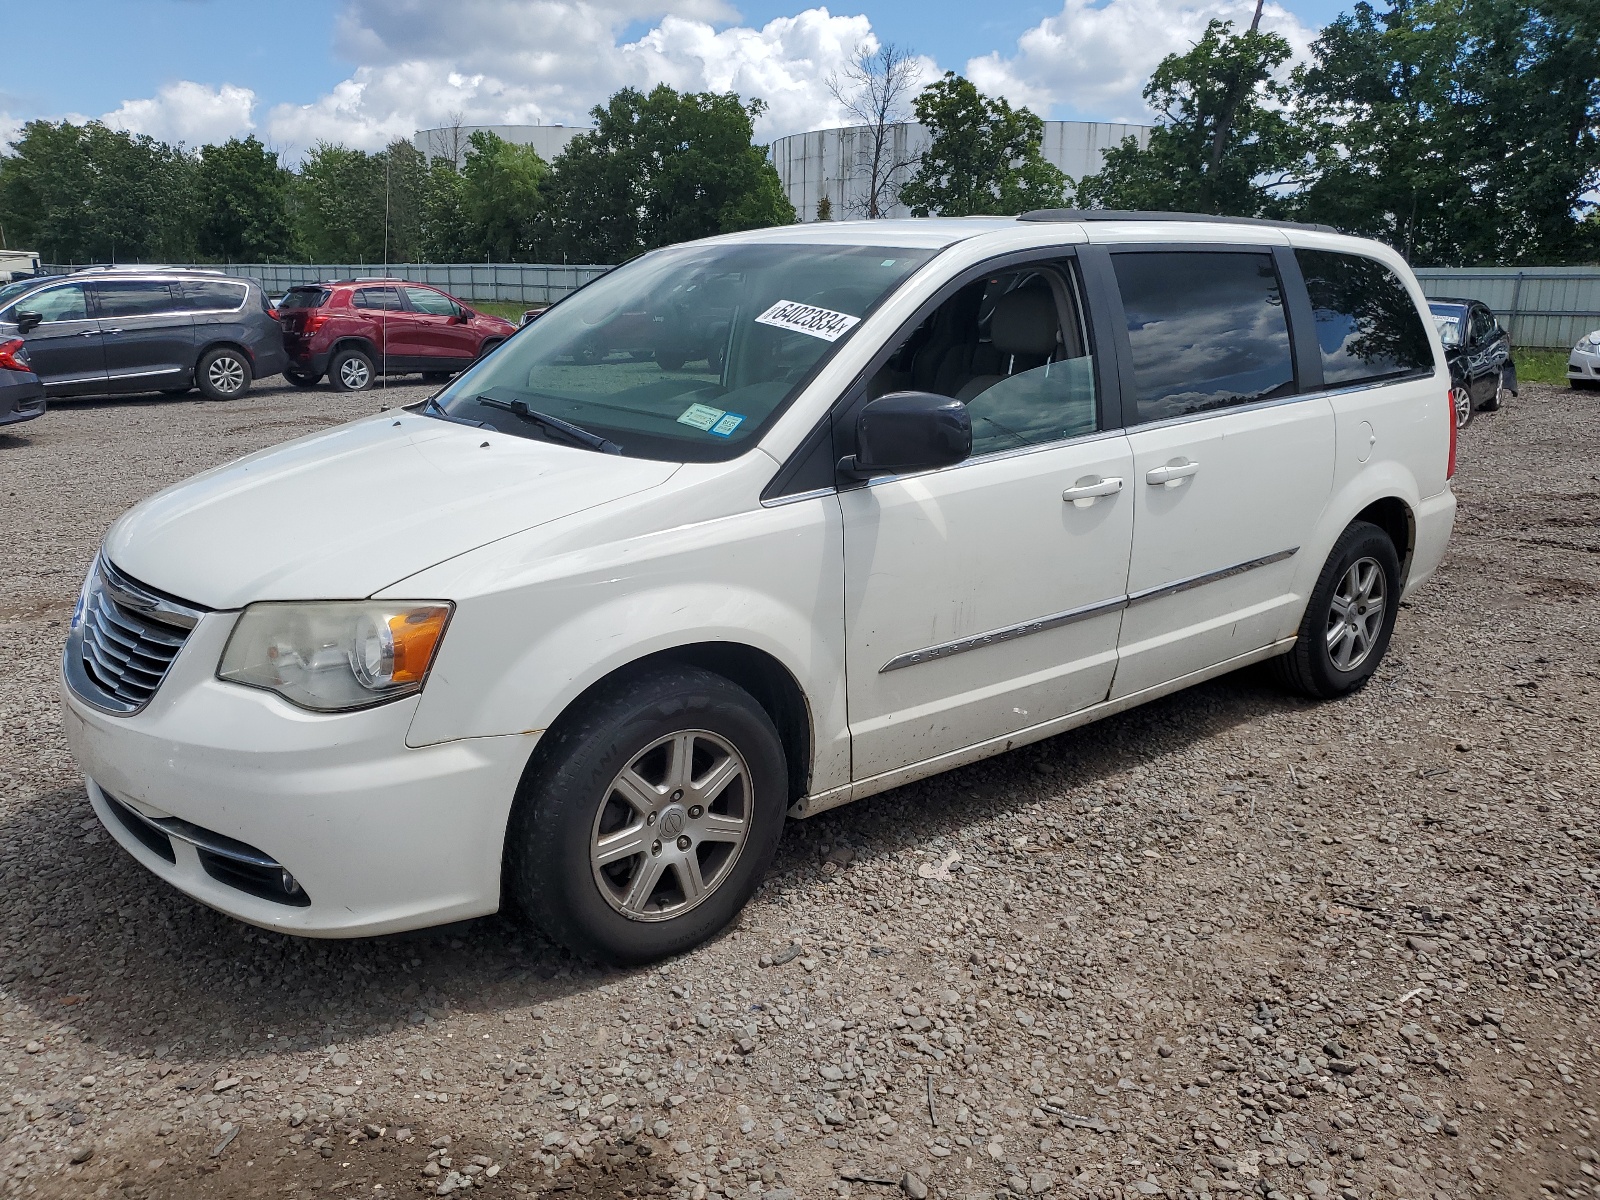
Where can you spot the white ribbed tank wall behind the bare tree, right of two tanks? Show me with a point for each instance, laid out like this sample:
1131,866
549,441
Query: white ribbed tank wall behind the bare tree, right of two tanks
831,162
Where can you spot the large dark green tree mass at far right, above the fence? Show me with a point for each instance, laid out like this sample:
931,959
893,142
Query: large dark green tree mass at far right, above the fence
1462,134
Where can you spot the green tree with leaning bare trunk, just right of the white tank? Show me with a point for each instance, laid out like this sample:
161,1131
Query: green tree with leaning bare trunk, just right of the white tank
1223,143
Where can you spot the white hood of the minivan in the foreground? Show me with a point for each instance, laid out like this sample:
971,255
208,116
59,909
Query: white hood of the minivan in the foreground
351,511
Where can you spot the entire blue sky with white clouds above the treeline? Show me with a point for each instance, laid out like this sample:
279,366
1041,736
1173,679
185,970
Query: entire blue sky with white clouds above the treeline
362,71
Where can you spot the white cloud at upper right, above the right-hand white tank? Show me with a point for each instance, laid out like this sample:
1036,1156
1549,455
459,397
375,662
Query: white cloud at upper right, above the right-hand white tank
1095,60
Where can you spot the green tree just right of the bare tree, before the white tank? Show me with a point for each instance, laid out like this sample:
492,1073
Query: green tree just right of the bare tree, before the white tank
985,156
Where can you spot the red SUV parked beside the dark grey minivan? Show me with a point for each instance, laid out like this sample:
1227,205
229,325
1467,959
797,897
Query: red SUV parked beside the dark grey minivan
356,330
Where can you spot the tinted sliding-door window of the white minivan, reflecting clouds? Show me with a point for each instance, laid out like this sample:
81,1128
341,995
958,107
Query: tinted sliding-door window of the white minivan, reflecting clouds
1207,330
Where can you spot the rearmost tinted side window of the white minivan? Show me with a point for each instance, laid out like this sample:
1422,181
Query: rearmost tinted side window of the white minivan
1367,326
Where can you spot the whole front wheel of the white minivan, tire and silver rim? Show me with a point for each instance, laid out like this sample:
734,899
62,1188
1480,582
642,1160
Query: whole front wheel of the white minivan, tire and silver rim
649,818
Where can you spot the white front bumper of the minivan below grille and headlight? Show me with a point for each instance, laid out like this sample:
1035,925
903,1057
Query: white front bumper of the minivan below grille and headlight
380,838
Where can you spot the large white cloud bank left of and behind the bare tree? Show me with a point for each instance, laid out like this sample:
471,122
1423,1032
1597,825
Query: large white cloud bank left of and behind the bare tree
550,62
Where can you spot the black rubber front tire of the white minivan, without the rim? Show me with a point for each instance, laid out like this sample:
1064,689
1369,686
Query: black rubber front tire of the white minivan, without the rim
548,842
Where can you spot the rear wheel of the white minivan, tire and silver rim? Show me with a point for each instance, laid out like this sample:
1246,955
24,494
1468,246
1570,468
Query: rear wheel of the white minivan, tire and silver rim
1350,620
